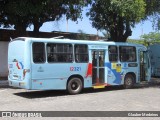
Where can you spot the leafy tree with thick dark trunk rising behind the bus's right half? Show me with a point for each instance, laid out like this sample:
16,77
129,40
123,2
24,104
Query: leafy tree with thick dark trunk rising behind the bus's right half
116,16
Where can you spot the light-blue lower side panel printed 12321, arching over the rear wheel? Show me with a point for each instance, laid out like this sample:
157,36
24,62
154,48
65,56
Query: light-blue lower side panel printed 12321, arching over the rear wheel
55,75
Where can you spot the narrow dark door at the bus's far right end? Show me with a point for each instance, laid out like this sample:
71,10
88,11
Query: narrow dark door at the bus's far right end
145,67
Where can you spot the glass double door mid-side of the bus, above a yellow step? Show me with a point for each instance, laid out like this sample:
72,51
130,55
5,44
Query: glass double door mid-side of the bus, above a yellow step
98,69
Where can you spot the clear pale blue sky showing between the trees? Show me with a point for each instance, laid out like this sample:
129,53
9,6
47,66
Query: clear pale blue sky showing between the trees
86,26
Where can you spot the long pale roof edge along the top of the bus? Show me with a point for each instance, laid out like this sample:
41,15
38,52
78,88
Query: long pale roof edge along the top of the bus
99,42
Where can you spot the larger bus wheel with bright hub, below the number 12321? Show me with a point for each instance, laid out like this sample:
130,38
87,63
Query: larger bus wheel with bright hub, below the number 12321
74,86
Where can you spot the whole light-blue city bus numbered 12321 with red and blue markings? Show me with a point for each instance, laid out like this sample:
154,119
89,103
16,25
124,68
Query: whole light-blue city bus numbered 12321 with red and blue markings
64,64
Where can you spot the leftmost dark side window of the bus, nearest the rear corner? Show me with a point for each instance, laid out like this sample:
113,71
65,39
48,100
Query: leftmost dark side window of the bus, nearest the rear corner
38,52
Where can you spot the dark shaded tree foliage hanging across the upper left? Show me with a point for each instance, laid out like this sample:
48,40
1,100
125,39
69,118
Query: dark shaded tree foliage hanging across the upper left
23,13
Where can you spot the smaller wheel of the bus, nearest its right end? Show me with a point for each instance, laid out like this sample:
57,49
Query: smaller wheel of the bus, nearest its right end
129,81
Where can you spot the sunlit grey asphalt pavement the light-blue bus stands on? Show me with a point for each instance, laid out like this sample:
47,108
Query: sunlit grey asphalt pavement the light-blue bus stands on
144,97
